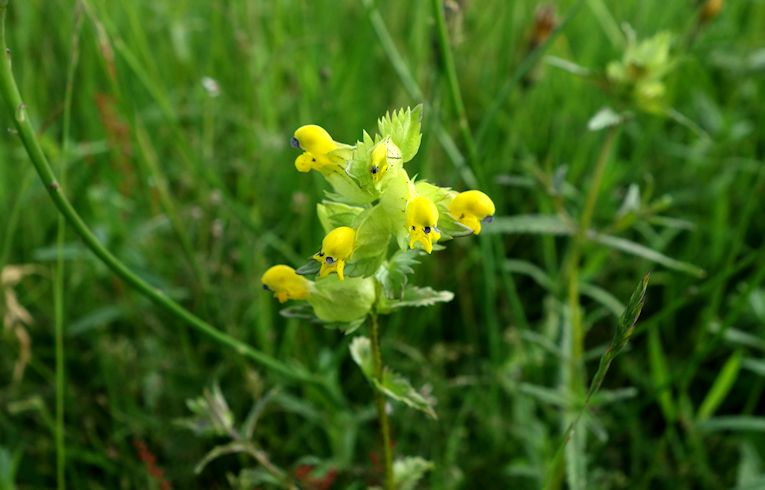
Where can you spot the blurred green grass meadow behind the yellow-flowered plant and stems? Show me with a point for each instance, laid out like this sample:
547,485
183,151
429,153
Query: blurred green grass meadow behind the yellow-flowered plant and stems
179,159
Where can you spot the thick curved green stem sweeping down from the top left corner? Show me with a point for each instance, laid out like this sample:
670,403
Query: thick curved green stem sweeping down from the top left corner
18,112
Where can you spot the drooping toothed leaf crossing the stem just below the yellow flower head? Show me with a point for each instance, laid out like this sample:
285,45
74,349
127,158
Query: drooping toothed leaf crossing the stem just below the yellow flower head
393,384
